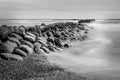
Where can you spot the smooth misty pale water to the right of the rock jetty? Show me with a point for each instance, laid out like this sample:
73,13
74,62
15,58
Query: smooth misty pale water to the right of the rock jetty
97,58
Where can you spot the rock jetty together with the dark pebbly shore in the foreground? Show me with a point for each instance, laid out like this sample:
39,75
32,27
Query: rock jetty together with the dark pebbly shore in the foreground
23,49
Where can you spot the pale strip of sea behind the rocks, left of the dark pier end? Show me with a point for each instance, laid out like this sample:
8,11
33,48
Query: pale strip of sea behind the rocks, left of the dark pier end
32,22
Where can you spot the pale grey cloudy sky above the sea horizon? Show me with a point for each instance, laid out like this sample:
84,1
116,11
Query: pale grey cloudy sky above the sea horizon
60,9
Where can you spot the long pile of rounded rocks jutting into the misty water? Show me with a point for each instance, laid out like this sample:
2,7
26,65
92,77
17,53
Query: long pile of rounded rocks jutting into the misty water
16,43
